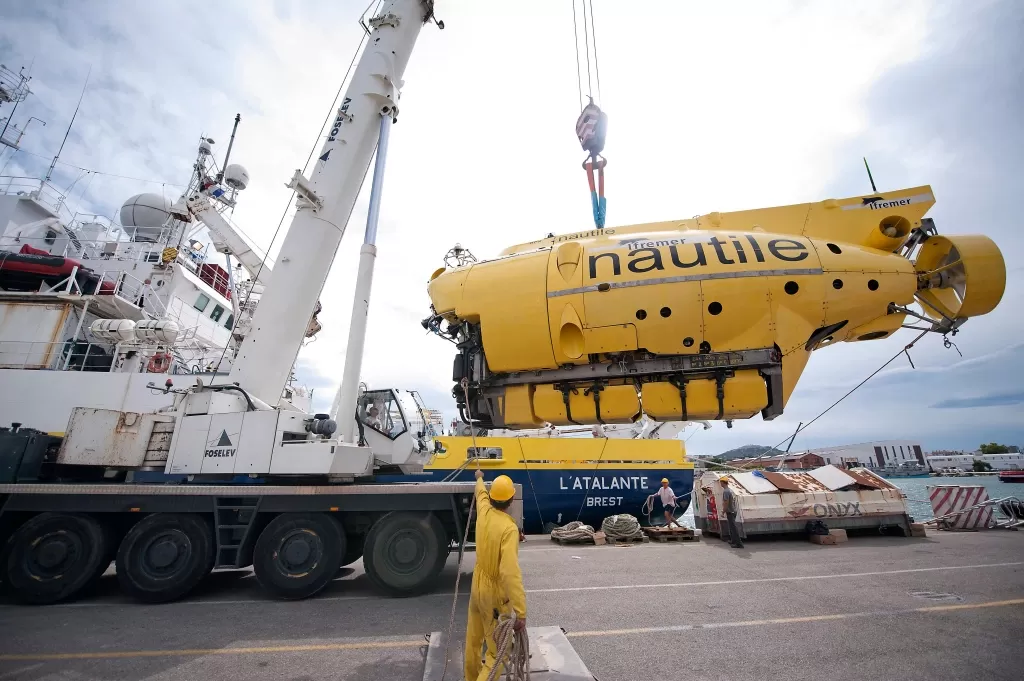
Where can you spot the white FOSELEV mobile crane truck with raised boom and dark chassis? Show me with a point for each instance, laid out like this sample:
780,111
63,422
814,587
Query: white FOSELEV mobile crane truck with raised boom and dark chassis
72,505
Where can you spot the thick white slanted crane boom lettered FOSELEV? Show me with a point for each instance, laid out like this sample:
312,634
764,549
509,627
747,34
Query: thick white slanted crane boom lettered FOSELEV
325,202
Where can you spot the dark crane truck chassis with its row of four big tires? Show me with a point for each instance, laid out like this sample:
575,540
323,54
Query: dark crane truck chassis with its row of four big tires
59,539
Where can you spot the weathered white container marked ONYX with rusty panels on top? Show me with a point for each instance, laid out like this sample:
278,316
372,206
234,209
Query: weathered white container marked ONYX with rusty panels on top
783,502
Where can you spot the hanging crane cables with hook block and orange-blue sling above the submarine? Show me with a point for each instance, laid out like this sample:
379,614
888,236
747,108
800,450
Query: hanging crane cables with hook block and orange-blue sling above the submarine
592,125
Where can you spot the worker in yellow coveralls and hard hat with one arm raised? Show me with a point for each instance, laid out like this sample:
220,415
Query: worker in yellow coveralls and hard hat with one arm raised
497,580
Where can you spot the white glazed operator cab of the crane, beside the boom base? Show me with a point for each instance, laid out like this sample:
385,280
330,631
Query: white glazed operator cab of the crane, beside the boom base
394,424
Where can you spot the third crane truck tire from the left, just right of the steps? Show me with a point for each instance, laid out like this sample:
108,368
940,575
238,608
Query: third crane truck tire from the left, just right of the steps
297,555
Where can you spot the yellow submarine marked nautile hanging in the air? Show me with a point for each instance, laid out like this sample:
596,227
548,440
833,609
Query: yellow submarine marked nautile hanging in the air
711,318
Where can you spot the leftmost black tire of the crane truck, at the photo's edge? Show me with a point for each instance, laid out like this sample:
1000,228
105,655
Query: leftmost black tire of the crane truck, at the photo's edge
53,557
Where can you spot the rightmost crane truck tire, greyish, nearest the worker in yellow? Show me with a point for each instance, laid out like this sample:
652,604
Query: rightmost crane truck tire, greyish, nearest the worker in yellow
405,554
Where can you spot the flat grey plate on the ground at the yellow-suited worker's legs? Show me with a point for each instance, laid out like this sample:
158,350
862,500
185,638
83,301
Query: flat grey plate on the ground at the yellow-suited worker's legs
551,658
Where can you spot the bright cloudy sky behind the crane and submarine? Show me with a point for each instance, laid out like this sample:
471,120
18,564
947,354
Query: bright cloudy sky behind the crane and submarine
721,106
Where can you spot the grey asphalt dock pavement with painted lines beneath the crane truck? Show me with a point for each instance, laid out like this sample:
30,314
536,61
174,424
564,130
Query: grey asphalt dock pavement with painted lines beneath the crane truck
948,607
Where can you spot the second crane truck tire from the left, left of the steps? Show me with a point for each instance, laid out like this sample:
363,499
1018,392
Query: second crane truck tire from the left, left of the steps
164,557
